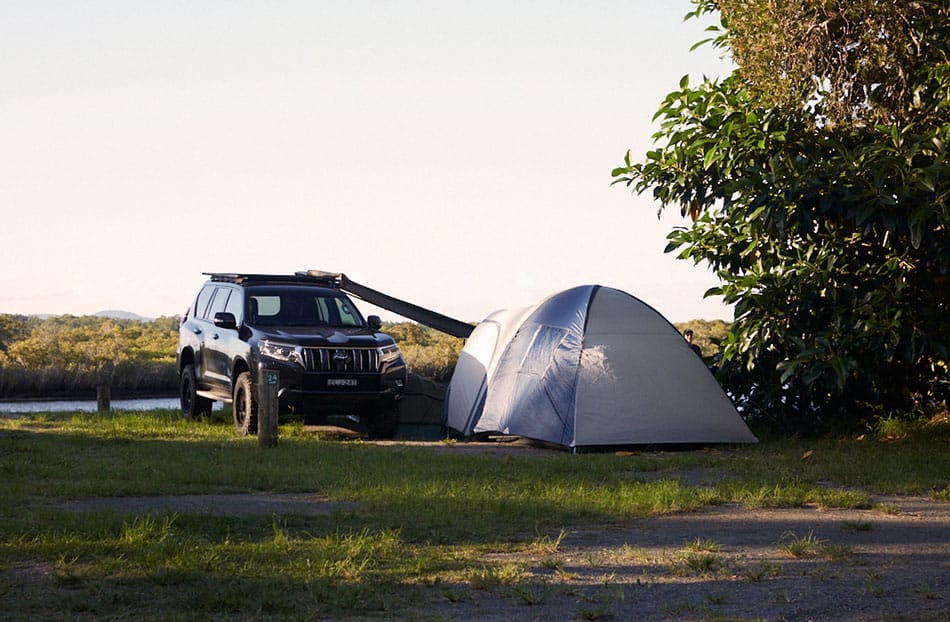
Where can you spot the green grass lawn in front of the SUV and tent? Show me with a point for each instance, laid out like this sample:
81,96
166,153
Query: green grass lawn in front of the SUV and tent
427,526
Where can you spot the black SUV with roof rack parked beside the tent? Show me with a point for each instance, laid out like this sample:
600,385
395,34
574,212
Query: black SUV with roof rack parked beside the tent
330,361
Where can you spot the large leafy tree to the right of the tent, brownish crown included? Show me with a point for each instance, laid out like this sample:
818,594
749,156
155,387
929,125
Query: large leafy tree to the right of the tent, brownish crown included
818,191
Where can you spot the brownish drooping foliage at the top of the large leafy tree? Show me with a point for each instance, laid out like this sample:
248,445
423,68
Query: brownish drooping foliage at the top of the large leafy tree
866,61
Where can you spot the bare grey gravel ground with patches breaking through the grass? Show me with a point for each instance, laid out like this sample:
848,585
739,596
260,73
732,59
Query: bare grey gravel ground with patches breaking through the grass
725,562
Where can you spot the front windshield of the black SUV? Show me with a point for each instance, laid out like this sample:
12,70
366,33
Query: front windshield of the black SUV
300,306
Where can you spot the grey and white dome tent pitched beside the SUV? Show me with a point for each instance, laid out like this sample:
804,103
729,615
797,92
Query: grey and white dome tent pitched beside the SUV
589,366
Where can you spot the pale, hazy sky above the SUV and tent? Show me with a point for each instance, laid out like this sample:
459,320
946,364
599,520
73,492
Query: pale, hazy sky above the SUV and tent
453,154
